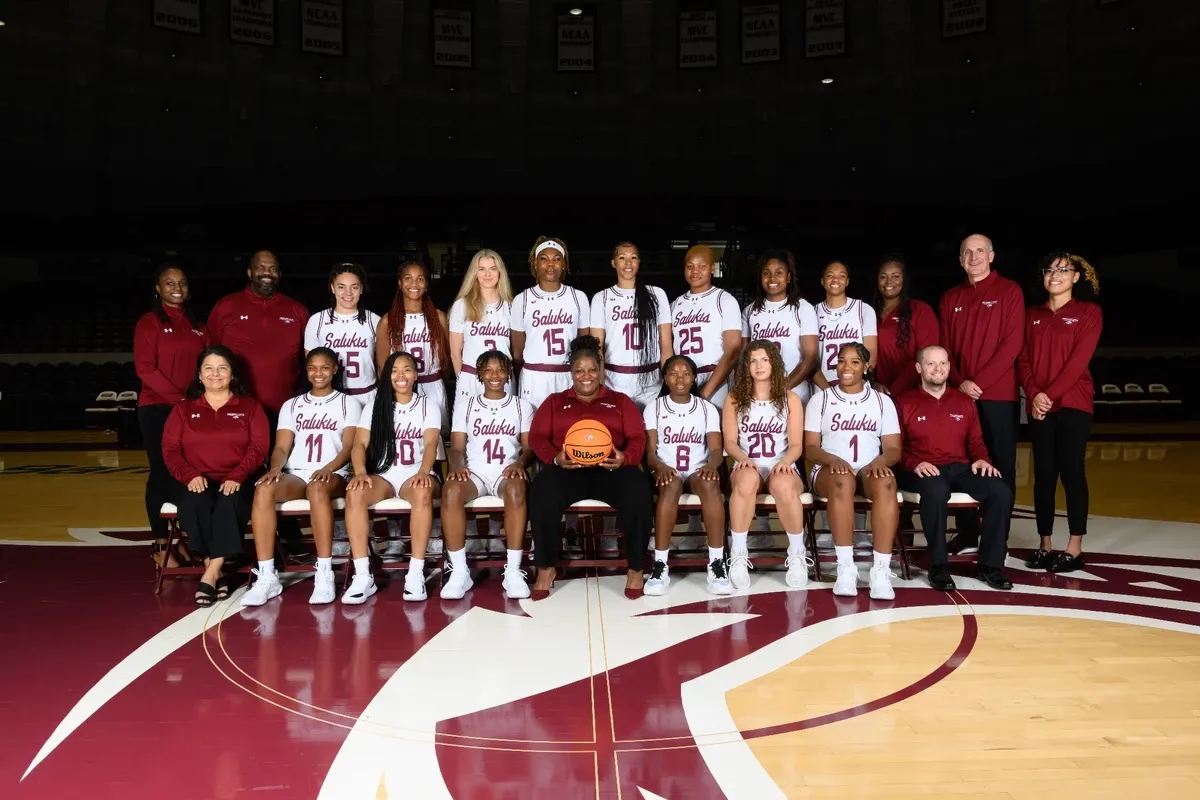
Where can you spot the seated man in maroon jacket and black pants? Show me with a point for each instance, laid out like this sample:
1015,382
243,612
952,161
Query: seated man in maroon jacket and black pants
944,453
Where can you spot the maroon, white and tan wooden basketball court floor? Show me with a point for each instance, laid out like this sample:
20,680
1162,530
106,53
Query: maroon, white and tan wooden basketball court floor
1072,687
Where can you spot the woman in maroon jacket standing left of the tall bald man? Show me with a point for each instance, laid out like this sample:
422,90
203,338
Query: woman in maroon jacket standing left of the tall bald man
905,327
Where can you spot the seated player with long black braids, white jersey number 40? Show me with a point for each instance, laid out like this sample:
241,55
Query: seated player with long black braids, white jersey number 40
395,446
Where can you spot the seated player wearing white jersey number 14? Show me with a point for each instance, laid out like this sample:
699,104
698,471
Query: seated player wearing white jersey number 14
489,458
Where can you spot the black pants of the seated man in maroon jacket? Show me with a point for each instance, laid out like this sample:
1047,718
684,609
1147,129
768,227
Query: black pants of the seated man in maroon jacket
995,502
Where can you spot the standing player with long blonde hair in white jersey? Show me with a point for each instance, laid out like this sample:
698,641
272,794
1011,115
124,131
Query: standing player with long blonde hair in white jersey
479,320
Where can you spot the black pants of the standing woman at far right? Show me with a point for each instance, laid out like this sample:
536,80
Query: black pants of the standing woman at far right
1060,450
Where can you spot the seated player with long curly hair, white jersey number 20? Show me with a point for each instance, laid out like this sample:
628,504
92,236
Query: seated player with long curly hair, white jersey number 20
764,425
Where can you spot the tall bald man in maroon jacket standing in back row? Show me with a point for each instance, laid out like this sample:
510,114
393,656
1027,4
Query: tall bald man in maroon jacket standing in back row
983,328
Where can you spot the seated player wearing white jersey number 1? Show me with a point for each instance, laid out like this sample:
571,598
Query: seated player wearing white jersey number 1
853,437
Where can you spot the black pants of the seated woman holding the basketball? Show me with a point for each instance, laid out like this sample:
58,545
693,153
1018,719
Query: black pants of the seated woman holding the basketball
556,489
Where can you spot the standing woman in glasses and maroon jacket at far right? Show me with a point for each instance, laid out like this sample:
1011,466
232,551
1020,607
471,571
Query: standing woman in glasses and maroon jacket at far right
1060,341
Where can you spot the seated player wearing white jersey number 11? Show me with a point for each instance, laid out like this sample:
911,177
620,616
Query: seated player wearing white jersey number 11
311,459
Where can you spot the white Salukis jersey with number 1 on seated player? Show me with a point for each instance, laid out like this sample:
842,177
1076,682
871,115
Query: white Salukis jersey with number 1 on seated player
851,425
